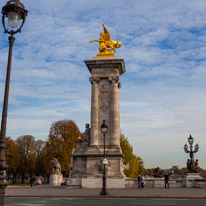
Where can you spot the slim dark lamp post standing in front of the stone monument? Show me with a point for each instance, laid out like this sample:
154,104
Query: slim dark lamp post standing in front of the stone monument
104,129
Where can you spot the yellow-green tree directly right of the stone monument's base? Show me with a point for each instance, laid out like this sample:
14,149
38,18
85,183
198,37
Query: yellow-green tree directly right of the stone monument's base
136,165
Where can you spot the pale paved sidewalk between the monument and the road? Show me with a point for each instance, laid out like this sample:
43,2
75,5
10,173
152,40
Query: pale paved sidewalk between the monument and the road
46,191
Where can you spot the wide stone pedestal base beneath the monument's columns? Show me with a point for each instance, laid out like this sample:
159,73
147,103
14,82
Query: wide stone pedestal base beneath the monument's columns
87,170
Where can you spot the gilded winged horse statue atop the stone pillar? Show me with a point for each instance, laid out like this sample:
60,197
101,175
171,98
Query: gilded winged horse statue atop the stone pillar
107,47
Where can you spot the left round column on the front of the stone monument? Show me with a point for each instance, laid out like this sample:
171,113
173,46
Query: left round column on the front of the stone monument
94,112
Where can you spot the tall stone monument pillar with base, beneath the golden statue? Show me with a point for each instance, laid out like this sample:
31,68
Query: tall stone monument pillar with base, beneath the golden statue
87,163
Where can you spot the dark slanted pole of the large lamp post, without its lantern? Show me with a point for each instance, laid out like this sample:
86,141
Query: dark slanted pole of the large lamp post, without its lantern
3,166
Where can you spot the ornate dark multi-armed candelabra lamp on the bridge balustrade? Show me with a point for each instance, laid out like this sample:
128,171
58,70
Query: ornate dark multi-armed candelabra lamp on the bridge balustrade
192,165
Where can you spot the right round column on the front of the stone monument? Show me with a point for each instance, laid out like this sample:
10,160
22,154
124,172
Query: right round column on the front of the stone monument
115,114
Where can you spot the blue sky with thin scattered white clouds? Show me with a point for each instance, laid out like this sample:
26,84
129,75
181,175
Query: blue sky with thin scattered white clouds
163,93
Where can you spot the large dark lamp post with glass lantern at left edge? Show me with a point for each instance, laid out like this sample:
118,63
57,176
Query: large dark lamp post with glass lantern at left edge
14,11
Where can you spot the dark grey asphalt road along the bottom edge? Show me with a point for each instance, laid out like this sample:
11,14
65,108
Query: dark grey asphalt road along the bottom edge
65,201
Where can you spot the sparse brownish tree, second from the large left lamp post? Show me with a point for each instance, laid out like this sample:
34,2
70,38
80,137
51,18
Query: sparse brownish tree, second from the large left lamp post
26,155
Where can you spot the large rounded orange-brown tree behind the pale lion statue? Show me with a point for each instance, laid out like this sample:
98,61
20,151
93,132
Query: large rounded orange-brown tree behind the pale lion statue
62,140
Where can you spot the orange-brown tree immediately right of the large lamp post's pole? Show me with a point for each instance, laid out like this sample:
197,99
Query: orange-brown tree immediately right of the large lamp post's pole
12,158
